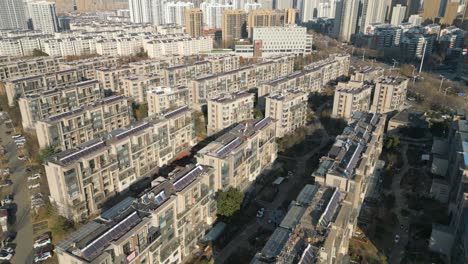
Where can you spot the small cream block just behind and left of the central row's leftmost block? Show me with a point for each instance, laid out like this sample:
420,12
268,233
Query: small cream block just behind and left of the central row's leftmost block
137,86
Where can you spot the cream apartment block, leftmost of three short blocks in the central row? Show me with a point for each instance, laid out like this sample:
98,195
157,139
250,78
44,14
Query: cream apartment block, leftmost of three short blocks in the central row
163,99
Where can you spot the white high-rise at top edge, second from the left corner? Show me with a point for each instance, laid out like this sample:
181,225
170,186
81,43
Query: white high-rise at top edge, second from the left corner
44,16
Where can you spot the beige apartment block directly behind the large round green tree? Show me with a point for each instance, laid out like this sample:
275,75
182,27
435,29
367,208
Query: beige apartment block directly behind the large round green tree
241,154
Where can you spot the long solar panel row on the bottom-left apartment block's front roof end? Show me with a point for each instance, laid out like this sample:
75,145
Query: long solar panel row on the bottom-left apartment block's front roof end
115,232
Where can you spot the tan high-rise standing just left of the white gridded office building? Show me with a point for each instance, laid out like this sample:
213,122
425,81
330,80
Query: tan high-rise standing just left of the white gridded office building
233,28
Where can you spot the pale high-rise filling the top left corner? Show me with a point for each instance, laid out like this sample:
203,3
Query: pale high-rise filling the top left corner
12,15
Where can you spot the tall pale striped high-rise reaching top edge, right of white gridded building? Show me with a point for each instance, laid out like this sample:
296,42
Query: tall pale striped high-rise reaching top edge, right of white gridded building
346,19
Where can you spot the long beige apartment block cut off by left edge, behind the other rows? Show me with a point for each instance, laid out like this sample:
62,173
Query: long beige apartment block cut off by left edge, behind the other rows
23,67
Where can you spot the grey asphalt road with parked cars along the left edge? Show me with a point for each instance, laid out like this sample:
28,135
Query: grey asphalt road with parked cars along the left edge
23,224
